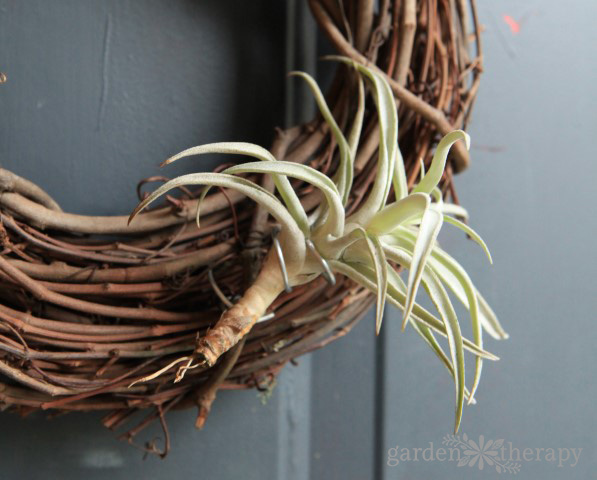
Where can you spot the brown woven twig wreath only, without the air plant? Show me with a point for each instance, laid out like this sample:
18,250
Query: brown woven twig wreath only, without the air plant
81,317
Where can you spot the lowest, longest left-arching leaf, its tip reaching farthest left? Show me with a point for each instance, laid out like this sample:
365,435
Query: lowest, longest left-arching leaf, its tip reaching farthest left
291,231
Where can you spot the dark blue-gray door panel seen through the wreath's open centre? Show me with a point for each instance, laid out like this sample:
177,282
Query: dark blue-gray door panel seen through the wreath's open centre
100,92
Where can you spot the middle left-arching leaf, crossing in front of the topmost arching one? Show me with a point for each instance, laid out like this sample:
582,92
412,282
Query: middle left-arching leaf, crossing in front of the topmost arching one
334,223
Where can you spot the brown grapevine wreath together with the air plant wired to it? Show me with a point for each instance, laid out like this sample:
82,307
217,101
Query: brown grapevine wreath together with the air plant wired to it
162,309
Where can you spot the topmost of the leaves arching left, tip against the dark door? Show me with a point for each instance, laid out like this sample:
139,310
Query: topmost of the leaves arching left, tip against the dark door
251,150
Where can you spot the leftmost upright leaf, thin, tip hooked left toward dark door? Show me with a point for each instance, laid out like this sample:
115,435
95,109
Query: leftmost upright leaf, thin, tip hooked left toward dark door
345,170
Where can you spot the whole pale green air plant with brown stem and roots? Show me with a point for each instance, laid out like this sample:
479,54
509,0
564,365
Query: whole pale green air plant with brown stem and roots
367,246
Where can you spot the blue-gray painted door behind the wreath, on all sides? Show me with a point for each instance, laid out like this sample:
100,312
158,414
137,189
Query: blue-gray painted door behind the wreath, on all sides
100,92
